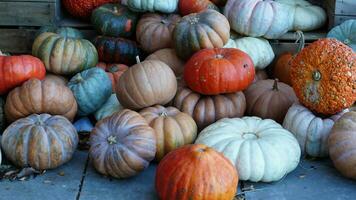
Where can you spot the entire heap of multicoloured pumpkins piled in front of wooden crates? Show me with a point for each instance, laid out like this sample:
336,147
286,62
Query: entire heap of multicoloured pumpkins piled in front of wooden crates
171,69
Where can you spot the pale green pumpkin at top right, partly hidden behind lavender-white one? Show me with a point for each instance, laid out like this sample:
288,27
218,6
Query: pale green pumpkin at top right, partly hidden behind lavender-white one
304,15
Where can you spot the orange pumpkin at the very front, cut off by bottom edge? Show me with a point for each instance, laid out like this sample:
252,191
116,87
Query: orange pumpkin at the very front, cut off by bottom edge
196,172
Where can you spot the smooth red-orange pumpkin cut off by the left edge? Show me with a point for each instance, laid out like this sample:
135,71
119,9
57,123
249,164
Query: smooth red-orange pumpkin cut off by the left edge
15,70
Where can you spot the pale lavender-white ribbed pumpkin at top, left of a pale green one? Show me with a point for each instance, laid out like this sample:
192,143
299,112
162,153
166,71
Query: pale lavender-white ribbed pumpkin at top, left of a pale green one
257,18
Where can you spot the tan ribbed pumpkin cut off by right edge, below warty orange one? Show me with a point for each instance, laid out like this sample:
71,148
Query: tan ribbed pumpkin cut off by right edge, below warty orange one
342,144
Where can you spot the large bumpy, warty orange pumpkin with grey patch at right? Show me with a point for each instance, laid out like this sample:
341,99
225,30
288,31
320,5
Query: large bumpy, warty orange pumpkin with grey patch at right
324,76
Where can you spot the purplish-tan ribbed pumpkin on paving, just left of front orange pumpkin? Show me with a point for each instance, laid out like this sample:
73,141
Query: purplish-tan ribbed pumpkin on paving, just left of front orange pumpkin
122,145
